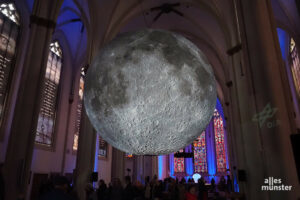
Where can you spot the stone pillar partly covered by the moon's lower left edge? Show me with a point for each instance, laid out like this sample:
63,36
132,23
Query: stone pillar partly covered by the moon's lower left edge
85,155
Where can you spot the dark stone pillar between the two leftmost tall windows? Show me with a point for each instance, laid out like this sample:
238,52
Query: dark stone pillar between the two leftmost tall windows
23,129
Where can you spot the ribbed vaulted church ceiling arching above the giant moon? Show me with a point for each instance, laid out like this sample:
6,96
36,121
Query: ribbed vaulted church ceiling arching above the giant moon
210,24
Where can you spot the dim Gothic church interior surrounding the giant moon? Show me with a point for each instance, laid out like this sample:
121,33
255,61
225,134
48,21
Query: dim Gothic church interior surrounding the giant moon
253,47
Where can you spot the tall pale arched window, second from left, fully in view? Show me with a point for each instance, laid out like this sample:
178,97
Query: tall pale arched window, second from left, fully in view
47,115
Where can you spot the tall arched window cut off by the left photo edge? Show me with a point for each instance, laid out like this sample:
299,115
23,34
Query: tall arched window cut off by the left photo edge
9,30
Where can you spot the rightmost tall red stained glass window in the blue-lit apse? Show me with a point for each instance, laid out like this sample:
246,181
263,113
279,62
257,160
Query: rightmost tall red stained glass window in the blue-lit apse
220,142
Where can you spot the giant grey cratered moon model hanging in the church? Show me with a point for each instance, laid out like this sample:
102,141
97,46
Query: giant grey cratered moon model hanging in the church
150,92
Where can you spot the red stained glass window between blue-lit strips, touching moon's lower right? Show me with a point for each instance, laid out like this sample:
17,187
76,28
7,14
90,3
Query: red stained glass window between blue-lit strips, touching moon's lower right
200,163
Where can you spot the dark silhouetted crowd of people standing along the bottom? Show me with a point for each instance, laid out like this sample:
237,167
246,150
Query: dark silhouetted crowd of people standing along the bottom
168,189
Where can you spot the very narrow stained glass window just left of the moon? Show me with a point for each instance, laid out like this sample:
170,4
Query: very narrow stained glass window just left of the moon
78,111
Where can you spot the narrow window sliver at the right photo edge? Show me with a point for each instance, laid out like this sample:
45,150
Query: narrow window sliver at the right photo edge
295,65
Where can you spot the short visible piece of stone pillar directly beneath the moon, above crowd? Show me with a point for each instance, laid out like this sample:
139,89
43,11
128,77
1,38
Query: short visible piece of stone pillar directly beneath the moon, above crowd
118,164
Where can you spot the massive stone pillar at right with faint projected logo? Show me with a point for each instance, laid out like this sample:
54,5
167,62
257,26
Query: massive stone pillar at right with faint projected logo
264,150
